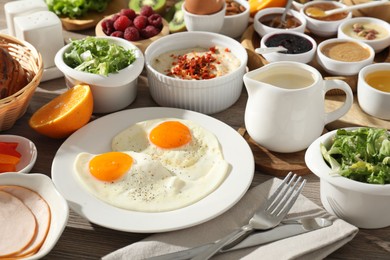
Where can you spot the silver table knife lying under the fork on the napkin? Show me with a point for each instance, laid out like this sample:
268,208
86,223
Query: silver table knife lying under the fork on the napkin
287,229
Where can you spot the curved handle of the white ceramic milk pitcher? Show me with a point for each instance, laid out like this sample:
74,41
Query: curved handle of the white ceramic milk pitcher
341,111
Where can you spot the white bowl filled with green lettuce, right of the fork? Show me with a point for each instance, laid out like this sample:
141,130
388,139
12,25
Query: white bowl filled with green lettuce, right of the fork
357,187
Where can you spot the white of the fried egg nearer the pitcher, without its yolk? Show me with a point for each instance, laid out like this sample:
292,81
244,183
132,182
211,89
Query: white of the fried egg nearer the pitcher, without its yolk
201,158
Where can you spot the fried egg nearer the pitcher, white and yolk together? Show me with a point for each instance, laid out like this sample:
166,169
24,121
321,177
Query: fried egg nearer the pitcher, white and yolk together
182,146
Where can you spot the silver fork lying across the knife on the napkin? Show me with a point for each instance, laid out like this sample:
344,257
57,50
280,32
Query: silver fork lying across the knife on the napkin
267,216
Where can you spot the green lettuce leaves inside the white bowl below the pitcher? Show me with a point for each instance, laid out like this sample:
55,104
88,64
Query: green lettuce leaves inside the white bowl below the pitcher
362,154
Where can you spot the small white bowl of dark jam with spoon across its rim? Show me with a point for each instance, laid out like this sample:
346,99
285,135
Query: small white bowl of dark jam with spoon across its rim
300,47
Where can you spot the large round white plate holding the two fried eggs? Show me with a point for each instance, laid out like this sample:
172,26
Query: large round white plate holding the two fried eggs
96,137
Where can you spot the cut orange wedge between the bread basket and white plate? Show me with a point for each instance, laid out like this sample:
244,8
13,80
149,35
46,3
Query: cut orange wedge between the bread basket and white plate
64,114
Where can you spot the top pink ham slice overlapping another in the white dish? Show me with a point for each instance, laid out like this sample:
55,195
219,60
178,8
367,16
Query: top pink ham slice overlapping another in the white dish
17,225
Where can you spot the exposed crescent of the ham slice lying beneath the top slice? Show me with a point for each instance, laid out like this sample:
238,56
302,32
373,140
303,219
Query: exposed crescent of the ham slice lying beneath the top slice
40,210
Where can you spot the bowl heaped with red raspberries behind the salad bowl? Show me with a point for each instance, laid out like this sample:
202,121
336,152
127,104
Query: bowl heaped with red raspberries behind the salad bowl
140,28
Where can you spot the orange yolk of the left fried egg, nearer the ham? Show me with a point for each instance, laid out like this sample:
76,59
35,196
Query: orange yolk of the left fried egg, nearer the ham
110,166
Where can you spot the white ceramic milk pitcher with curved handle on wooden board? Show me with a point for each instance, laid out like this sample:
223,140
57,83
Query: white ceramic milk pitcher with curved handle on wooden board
285,111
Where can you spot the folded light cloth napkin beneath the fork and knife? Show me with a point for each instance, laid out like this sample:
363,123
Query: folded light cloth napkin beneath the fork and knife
312,245
